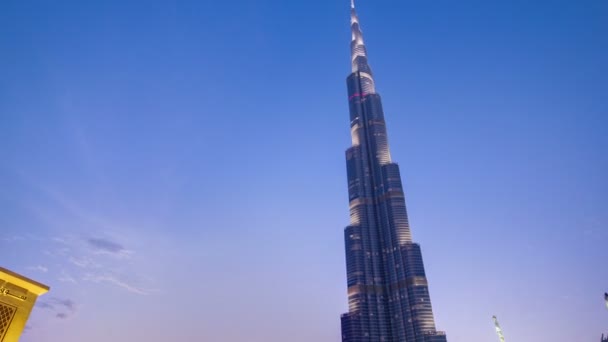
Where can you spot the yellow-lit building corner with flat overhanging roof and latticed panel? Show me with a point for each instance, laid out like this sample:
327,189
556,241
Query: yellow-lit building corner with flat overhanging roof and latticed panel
18,295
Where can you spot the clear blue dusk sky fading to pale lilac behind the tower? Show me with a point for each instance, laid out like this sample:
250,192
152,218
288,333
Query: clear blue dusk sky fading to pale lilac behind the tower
175,170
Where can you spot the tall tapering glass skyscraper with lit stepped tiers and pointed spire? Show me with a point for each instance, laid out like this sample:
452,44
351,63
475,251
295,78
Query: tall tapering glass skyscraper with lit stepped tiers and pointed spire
388,293
